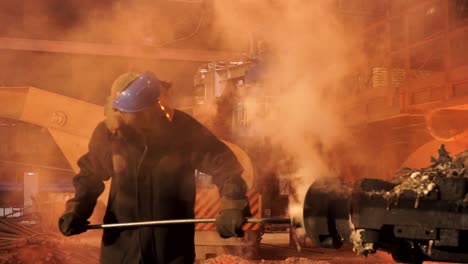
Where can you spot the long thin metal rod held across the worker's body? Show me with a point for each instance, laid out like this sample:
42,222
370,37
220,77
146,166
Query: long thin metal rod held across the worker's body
187,221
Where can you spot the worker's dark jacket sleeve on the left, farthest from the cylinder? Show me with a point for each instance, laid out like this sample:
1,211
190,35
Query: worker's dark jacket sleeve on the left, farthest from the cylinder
95,167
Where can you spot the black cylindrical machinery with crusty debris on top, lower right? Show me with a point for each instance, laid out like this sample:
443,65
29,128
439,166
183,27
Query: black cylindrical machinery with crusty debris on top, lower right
421,215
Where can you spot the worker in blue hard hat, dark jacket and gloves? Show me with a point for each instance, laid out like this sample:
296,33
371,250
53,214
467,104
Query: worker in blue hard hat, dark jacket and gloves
151,152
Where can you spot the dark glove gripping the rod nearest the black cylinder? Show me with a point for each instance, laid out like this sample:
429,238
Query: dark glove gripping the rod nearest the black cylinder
232,217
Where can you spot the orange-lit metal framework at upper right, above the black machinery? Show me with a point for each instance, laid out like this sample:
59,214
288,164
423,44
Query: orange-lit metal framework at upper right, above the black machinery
444,81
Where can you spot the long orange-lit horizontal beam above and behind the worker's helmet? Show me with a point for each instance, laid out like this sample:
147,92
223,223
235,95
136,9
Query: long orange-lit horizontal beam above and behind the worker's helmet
120,50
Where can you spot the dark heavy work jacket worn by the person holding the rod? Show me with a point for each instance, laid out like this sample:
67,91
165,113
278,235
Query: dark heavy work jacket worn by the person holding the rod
152,181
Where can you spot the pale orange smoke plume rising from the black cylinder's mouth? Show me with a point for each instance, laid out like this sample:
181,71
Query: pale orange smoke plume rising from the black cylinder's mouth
311,52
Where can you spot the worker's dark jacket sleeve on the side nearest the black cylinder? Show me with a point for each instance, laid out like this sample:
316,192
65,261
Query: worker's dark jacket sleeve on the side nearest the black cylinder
213,157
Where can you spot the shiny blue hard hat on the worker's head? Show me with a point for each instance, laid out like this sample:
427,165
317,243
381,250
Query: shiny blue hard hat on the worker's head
140,94
